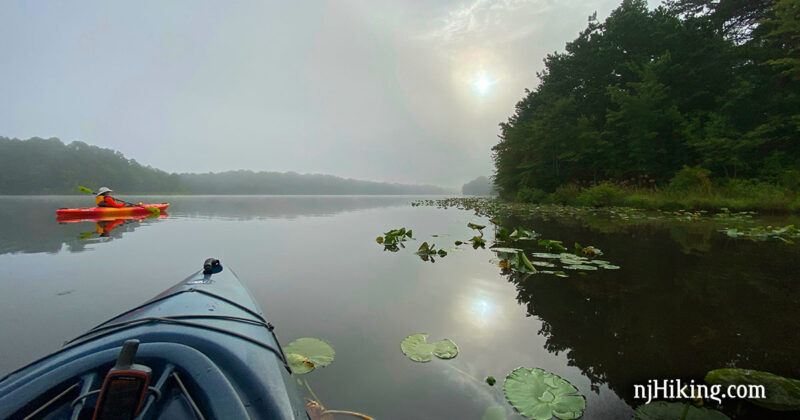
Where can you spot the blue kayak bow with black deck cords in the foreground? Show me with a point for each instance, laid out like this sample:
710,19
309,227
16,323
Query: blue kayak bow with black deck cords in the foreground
204,346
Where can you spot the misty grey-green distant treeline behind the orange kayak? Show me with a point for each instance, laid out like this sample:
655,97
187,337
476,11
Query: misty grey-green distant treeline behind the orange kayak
48,166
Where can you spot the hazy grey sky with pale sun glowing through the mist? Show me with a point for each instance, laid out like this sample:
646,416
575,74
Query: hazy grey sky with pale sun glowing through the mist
400,91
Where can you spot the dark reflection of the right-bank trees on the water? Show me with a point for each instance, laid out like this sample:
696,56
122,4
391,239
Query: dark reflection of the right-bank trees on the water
673,310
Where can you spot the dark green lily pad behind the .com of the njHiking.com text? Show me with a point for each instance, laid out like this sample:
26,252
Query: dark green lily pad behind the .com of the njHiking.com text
782,394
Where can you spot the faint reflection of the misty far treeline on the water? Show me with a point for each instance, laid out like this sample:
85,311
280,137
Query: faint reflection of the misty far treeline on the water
29,224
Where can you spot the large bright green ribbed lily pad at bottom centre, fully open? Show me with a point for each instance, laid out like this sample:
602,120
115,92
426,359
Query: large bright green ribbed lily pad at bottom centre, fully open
538,394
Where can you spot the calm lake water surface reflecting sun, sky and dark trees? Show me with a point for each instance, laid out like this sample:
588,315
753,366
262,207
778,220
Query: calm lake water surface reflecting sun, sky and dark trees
687,299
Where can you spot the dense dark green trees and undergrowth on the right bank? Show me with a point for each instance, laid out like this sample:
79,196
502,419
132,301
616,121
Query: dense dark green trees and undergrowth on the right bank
692,105
